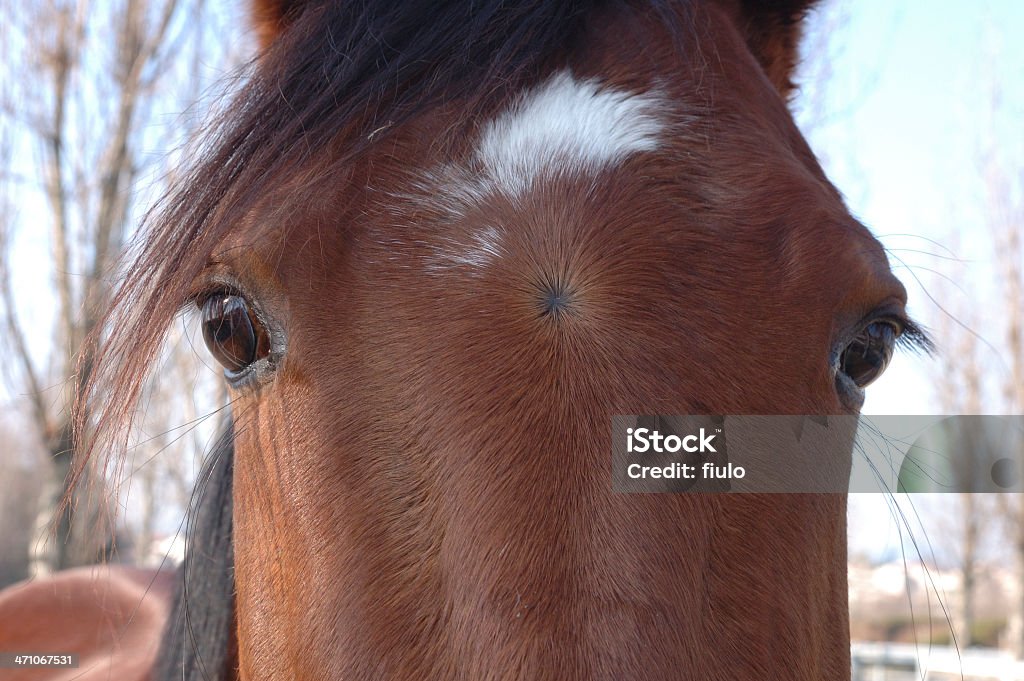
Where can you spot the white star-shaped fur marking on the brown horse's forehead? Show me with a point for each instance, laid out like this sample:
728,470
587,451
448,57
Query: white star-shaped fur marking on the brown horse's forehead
566,130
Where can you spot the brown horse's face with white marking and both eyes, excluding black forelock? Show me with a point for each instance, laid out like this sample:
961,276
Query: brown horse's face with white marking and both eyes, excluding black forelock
429,349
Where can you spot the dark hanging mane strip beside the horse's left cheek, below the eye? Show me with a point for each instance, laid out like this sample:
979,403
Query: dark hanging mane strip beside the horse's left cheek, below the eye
198,637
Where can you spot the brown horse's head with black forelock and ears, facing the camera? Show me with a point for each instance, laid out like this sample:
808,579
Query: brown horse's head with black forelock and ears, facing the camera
436,246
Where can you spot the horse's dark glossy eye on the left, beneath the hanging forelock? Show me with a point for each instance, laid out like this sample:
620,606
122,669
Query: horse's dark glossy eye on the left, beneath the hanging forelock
236,337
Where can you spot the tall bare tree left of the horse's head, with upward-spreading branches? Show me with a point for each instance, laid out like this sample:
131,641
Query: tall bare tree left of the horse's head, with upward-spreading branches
91,95
